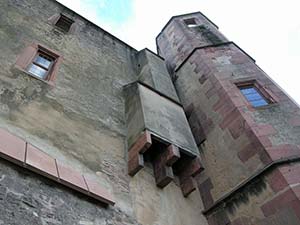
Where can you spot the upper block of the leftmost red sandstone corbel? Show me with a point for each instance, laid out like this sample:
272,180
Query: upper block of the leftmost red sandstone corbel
142,144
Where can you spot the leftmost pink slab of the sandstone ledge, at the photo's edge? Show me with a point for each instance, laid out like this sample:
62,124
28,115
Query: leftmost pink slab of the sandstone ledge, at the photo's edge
12,148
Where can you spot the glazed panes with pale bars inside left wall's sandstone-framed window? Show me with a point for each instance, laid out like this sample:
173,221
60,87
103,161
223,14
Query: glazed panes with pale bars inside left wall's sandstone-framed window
41,65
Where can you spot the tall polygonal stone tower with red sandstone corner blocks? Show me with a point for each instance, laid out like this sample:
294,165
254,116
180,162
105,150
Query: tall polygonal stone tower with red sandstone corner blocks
241,146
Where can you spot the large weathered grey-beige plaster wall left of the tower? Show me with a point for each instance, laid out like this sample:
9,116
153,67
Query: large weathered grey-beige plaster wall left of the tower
80,121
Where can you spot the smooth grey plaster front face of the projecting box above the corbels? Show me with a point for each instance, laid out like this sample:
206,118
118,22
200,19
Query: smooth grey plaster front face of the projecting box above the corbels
167,120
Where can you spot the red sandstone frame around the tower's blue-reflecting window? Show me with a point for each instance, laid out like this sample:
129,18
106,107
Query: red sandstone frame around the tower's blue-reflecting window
265,95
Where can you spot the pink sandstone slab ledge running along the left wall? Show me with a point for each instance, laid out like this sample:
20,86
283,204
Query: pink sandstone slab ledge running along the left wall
22,153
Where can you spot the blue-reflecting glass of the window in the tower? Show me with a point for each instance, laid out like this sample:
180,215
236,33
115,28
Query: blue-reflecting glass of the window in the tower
253,95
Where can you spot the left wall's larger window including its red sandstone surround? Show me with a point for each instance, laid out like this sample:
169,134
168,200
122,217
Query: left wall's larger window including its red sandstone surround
40,62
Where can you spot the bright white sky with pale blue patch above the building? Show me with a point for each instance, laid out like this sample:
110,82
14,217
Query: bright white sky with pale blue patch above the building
268,30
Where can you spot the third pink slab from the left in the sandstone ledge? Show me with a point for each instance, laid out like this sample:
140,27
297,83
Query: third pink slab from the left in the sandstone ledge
71,178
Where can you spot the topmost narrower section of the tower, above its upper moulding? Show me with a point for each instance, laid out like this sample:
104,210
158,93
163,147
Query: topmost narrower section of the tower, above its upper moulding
176,41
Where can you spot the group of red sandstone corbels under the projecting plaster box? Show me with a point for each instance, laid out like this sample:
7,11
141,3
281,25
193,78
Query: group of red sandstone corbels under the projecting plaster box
167,162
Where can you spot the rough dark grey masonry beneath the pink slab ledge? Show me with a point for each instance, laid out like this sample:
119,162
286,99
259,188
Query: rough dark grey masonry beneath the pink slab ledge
27,199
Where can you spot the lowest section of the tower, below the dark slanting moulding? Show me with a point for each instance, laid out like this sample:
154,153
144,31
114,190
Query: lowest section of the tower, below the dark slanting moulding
271,199
